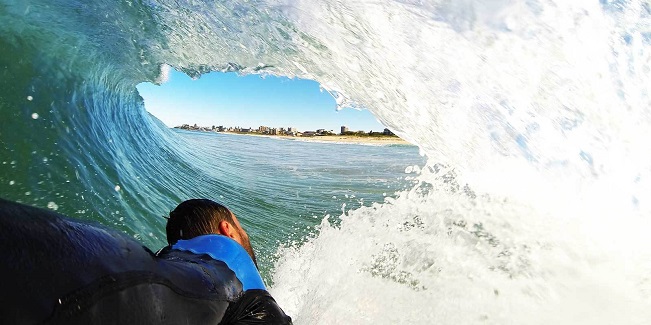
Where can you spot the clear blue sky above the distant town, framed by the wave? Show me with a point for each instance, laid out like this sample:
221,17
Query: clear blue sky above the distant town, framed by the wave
250,101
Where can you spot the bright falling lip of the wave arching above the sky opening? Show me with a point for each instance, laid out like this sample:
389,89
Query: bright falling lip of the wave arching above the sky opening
557,90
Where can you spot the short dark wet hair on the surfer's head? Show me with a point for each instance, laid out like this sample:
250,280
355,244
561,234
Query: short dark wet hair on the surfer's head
194,218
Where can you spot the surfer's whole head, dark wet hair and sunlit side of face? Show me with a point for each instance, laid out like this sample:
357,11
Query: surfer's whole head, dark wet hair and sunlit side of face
198,217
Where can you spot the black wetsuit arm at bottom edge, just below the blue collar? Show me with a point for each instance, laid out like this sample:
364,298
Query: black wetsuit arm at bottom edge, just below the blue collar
255,307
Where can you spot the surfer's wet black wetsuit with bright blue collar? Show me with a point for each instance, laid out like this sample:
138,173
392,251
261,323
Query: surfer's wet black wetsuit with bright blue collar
59,271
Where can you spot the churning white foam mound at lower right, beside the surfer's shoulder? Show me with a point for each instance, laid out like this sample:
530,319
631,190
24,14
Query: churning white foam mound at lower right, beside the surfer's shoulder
442,253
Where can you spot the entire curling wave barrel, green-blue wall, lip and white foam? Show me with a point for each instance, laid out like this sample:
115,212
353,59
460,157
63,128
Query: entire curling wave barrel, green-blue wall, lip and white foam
533,207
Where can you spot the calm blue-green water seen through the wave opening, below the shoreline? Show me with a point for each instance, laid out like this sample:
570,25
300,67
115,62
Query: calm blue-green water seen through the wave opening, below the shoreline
282,189
